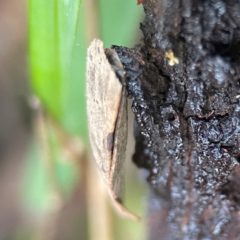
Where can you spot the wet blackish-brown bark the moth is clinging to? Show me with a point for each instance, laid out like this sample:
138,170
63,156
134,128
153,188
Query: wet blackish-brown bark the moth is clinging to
184,81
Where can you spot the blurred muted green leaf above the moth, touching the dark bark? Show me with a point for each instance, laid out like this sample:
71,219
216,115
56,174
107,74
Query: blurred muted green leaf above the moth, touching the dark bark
120,20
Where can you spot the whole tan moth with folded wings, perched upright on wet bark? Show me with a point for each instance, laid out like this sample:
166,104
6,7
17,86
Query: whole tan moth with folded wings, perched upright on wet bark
107,118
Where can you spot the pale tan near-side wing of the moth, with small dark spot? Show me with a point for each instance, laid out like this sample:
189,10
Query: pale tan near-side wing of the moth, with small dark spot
103,99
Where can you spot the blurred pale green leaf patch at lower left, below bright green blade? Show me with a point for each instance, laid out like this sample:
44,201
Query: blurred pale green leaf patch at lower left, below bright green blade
48,172
